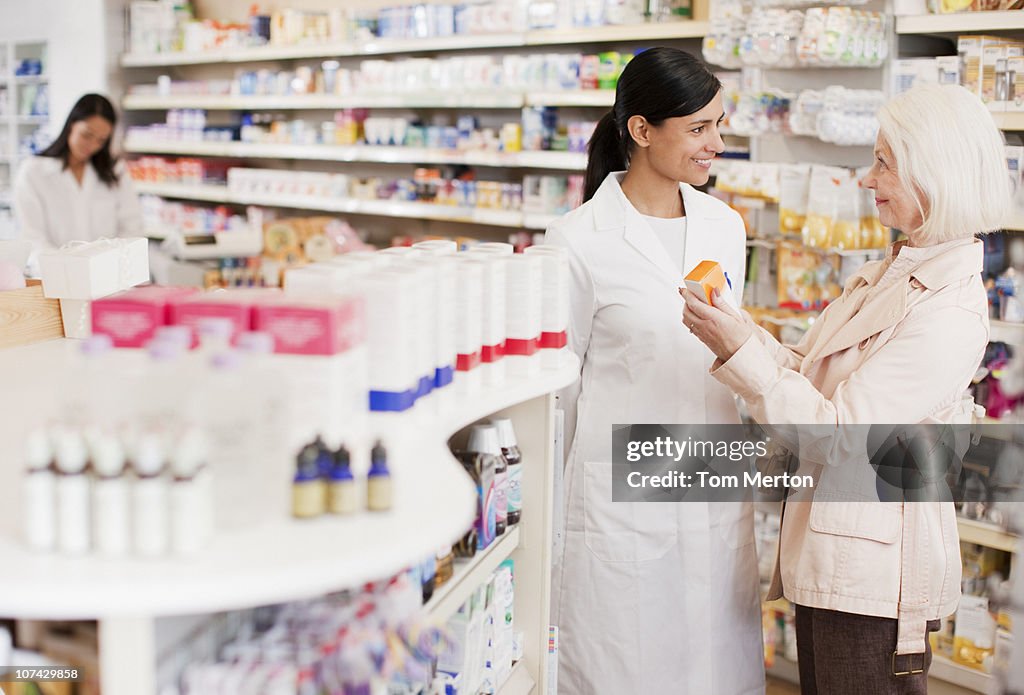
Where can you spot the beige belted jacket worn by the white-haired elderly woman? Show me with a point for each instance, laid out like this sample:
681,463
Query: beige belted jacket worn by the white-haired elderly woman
900,346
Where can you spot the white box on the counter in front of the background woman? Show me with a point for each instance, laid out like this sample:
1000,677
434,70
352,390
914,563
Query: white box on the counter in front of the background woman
95,270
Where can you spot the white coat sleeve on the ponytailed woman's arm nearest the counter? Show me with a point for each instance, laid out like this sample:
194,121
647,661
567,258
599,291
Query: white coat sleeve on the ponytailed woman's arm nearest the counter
582,306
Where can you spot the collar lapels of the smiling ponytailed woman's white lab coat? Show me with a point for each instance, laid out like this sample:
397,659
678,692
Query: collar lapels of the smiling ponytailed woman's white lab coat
614,212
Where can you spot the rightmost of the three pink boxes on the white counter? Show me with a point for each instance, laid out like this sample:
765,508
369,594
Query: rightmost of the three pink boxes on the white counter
313,326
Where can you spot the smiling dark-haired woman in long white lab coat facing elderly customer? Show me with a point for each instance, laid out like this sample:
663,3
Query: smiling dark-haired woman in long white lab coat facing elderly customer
651,597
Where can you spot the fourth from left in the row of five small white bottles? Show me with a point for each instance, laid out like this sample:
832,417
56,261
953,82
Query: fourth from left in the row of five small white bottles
150,506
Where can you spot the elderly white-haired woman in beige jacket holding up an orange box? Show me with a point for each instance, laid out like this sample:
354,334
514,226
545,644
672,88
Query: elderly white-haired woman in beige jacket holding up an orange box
901,345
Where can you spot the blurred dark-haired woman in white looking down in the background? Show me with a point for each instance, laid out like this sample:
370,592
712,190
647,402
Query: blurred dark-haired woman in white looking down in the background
76,190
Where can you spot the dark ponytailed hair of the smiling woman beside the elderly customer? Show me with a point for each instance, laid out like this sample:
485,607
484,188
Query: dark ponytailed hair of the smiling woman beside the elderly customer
658,84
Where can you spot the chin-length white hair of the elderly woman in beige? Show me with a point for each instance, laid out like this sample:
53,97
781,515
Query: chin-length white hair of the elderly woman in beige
948,147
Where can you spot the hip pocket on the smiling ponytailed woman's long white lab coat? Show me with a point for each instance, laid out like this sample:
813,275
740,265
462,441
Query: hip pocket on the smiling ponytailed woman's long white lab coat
625,532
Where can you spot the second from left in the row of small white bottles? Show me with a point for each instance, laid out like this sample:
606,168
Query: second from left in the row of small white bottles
73,492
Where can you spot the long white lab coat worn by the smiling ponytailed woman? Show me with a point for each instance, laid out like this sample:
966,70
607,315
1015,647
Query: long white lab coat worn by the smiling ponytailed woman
649,597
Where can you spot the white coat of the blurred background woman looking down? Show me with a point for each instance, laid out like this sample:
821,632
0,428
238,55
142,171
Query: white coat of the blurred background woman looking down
53,208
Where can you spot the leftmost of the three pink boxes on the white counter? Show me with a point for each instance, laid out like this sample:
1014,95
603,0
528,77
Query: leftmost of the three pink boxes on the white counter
132,318
